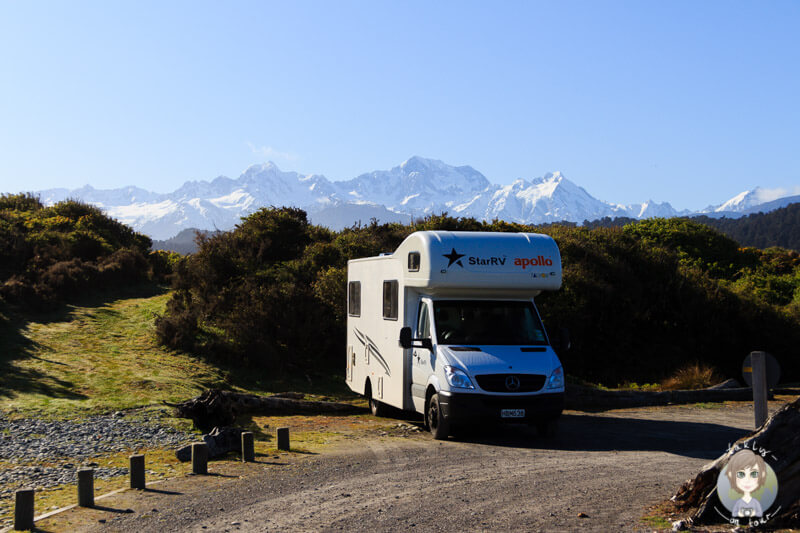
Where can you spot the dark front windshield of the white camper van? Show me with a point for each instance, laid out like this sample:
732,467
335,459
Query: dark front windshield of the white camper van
487,322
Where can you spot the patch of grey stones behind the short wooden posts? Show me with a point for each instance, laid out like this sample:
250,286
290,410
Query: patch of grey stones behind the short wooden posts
47,453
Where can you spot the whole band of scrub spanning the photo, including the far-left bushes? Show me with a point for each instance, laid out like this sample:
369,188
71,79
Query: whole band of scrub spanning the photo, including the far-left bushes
641,301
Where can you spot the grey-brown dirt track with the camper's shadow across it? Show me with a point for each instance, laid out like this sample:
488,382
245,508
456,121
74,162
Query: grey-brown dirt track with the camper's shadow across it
610,467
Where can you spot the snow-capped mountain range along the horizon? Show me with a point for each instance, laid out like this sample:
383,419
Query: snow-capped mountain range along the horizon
415,188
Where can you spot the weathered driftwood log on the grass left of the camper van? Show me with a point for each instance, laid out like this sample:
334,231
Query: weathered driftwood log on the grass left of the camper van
220,408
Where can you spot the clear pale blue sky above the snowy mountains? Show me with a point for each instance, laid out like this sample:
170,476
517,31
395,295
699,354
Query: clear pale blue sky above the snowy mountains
687,102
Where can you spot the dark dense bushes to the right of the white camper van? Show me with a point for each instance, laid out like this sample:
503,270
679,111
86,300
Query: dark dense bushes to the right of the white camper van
639,309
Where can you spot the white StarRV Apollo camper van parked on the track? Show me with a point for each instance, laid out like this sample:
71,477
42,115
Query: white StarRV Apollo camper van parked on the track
446,326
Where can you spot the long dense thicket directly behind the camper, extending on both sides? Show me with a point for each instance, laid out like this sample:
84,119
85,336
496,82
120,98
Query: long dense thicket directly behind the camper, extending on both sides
640,301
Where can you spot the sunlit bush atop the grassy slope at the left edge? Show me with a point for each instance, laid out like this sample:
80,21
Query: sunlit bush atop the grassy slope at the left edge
55,254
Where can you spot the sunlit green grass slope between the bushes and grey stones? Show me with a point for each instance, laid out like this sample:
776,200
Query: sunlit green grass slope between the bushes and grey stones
103,356
